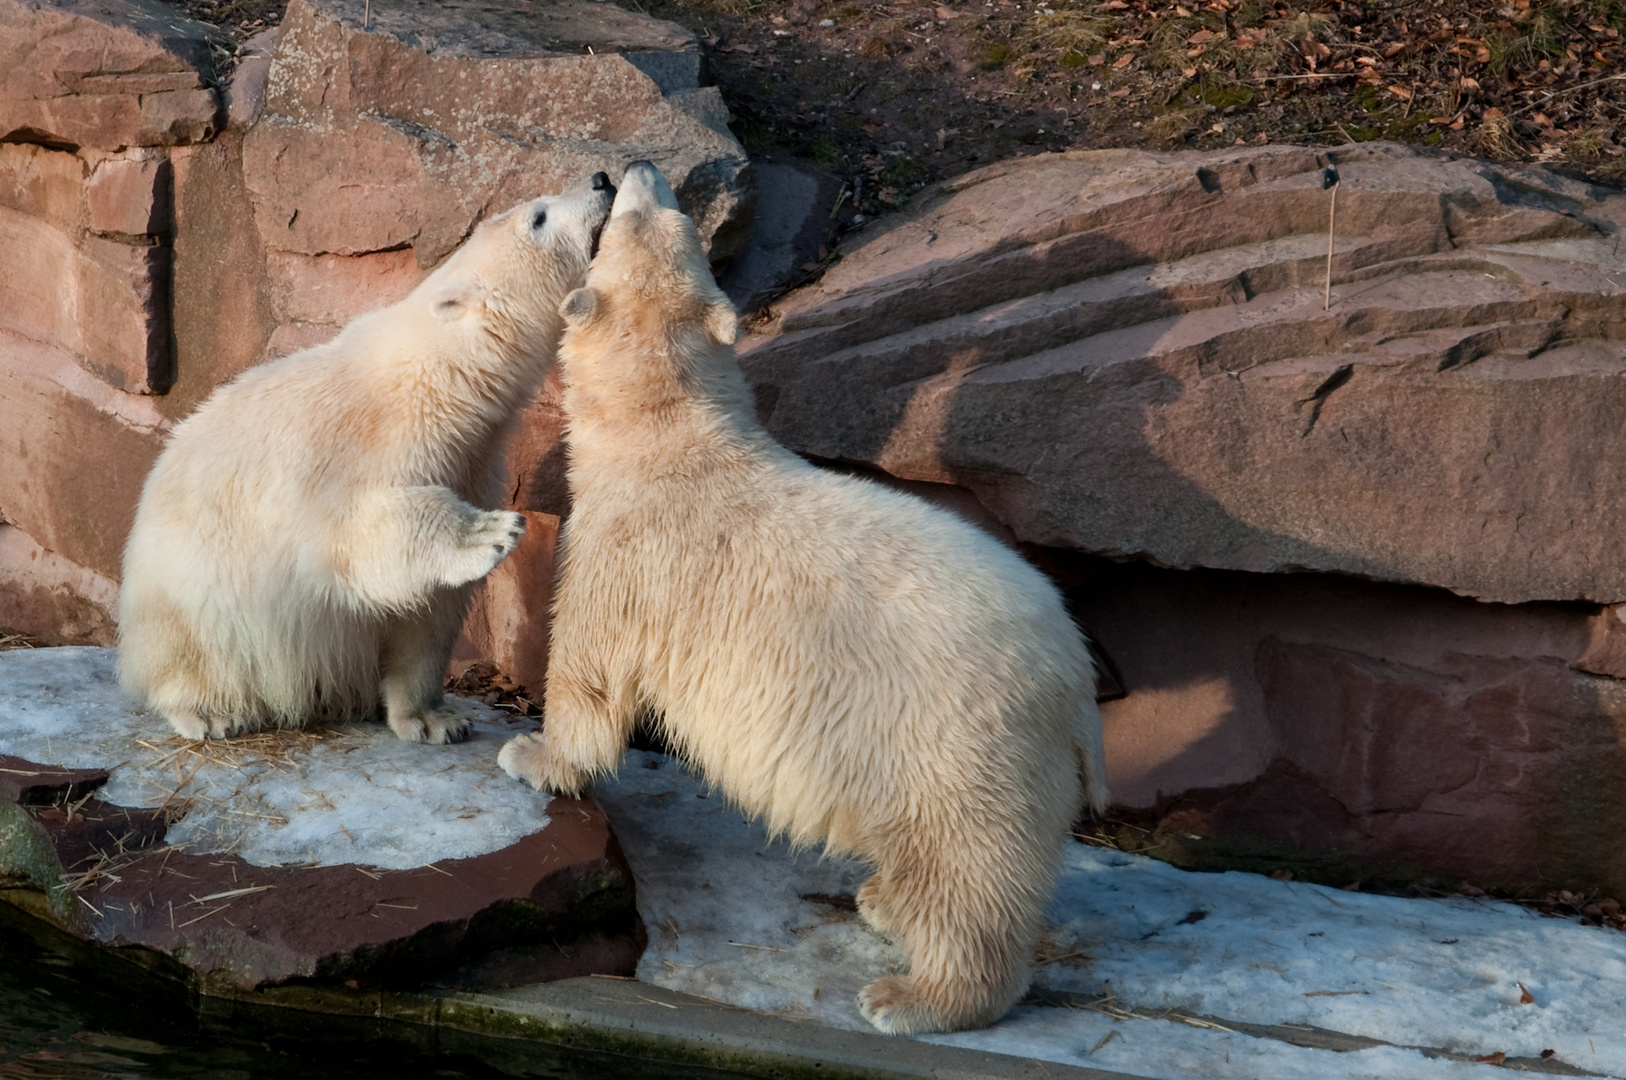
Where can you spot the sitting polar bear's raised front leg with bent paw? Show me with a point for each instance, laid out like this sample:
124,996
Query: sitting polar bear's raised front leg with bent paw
402,546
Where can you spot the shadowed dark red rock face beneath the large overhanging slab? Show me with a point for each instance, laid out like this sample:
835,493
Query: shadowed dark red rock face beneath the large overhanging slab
1360,729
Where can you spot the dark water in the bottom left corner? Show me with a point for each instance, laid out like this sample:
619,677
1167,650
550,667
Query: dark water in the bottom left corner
69,1012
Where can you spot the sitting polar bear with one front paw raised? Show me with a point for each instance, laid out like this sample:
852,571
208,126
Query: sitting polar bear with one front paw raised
310,538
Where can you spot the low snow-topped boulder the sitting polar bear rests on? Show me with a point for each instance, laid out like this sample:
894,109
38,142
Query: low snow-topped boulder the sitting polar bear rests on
339,855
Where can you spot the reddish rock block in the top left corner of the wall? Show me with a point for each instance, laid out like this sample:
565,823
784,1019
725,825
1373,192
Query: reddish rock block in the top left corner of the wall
105,76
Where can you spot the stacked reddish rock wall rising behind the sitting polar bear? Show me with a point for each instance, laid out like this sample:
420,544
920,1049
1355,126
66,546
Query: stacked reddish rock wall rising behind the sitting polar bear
172,220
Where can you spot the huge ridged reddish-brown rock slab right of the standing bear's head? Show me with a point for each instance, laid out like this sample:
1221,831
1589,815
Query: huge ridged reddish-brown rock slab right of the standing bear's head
1126,354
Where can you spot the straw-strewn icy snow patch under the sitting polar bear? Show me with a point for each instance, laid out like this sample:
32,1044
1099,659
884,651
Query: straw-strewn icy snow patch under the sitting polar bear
354,796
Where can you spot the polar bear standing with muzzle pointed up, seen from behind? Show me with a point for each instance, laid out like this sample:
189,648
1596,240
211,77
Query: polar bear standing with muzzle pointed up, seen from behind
843,661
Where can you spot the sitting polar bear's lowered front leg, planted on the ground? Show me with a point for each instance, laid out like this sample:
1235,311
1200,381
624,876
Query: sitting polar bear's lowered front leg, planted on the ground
417,648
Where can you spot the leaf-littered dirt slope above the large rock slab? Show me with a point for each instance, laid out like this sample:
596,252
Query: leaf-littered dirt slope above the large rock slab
897,95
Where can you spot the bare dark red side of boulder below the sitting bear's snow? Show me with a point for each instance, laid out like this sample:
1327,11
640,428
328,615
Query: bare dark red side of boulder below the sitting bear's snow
552,907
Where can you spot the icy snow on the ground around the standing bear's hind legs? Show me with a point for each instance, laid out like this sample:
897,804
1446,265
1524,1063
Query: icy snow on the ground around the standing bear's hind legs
737,918
